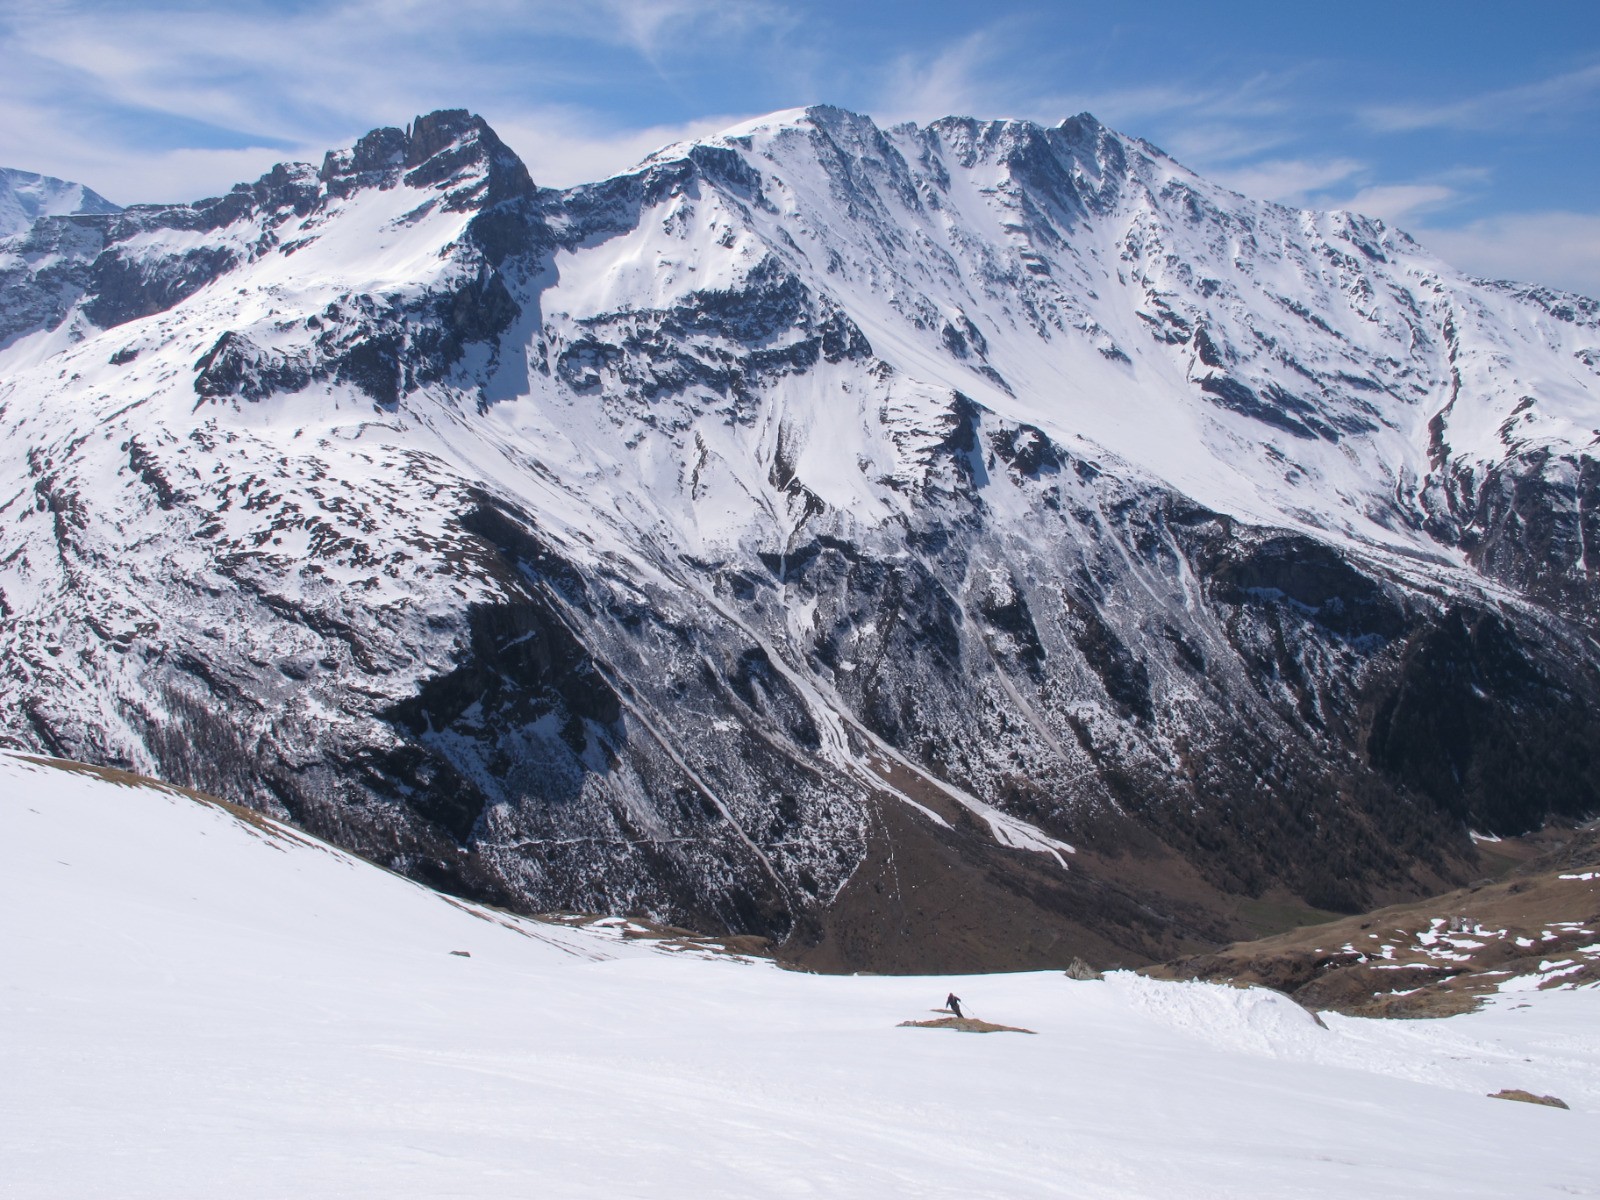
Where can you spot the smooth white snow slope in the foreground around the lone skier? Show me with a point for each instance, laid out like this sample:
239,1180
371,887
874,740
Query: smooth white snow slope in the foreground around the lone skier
239,1010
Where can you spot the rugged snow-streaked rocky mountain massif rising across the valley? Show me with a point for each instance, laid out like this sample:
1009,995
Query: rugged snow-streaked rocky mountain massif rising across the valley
964,546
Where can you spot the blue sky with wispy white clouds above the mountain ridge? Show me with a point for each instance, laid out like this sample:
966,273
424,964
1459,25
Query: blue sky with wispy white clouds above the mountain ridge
1473,126
